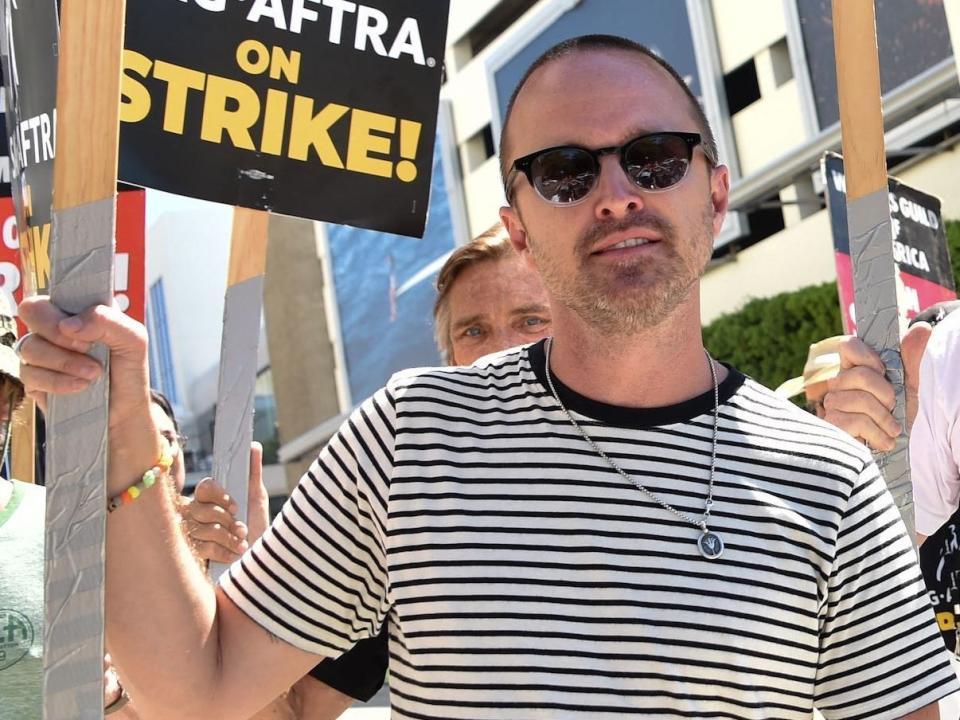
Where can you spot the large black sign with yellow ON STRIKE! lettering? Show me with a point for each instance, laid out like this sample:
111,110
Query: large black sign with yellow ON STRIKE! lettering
324,110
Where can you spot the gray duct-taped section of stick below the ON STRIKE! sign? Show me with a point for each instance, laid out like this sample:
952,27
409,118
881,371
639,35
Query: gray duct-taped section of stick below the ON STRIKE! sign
233,424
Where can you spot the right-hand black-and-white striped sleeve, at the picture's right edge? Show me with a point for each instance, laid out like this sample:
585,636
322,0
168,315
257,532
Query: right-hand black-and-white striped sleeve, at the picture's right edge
881,656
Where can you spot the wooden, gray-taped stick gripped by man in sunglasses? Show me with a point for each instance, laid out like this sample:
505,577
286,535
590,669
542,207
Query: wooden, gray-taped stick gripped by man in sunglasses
84,219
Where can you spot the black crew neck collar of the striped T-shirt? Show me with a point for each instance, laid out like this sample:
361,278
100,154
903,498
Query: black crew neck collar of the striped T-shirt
627,416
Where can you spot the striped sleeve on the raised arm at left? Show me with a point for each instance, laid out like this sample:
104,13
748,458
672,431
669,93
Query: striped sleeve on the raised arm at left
317,578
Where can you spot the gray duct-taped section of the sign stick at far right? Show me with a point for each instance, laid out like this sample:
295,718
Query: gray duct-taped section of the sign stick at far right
878,325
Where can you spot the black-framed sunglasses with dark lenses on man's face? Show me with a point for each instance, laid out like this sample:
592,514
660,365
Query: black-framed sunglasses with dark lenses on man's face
566,174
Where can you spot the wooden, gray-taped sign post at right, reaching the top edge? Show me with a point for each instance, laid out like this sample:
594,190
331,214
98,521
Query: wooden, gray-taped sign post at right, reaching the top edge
868,217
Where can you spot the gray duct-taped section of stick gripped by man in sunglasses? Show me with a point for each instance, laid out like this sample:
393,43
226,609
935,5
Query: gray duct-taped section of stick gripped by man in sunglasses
81,276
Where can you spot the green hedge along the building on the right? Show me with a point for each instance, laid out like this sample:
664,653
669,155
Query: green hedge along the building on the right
768,338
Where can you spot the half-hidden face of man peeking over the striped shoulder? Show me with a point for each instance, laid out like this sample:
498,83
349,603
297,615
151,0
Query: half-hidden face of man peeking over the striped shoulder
495,305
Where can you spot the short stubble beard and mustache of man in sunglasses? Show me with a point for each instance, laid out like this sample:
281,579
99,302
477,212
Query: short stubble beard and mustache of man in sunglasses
627,298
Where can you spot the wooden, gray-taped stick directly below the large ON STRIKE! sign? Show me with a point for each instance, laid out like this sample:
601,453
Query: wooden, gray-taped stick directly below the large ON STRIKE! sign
233,424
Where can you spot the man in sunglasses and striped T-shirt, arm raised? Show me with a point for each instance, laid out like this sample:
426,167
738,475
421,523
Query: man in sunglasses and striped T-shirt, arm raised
603,525
